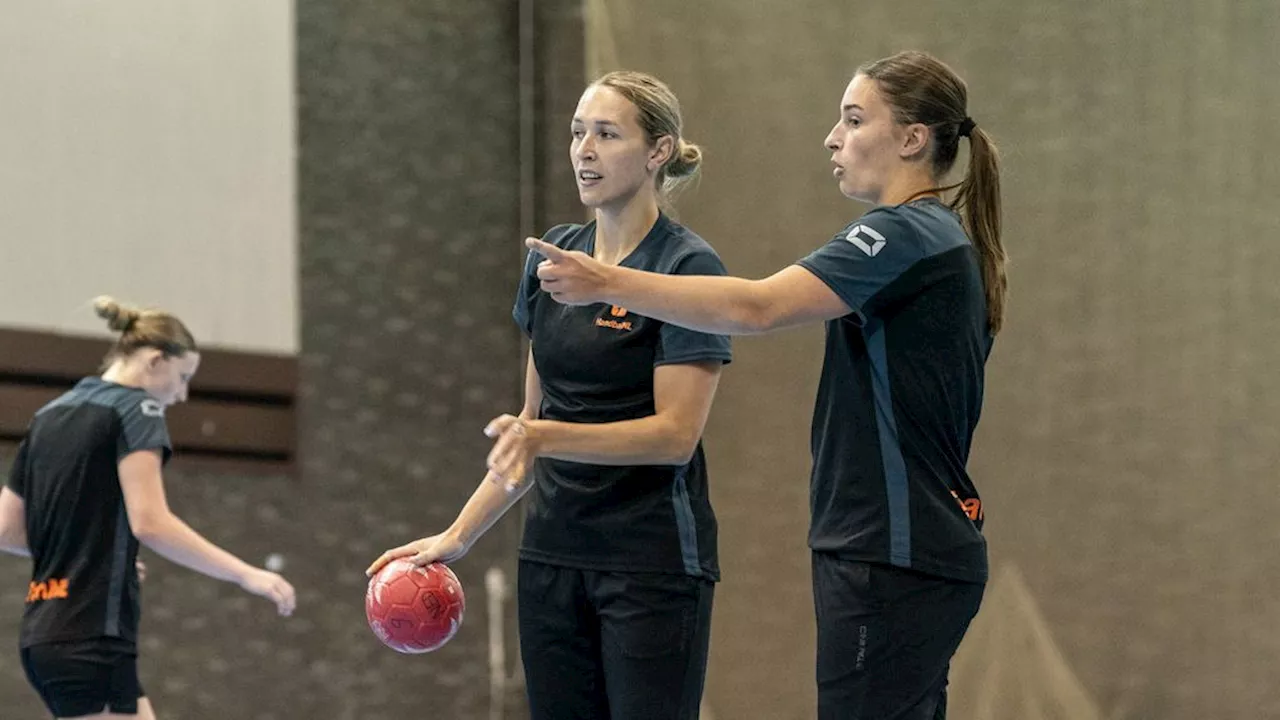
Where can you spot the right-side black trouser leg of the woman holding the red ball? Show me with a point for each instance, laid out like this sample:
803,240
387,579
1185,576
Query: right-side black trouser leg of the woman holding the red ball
656,631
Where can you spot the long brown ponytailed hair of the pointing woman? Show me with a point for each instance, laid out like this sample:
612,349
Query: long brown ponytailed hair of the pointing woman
921,89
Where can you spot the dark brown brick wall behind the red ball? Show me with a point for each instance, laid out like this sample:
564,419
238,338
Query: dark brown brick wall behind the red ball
410,256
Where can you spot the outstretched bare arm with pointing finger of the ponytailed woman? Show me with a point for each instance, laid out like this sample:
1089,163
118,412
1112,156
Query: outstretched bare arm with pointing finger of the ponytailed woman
712,304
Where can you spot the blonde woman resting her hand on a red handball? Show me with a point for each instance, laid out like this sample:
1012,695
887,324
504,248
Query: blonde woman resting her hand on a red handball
619,562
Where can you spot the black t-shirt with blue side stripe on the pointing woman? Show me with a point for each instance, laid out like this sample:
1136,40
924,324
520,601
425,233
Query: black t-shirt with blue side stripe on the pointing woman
900,394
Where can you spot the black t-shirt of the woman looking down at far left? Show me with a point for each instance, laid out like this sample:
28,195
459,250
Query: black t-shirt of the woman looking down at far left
85,584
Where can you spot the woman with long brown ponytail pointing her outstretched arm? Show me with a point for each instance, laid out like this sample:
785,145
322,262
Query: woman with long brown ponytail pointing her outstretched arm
913,295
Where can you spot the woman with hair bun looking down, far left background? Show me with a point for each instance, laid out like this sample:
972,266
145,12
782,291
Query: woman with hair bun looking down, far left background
84,493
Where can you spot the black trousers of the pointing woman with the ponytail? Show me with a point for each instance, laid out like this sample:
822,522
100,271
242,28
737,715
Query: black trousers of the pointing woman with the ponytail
885,639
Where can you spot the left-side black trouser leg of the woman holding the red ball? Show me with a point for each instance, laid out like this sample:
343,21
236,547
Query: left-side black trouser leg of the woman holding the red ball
560,645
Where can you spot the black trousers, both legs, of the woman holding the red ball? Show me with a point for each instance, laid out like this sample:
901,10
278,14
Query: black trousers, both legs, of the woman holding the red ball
624,646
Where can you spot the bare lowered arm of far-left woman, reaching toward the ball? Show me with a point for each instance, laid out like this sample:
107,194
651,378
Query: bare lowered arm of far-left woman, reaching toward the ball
158,528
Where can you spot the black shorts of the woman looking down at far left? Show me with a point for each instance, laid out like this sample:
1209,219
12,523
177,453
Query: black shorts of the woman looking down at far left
85,677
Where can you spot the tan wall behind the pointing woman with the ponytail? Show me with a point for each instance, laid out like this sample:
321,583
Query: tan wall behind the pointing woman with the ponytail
1132,426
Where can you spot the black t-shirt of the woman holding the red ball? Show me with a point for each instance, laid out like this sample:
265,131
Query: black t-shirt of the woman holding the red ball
597,366
